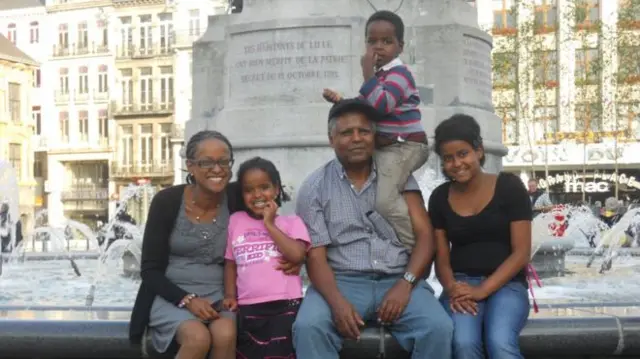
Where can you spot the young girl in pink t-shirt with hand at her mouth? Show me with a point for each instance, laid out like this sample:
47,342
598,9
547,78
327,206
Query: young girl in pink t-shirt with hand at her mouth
267,300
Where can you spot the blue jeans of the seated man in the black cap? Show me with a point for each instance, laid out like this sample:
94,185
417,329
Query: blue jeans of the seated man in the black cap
423,328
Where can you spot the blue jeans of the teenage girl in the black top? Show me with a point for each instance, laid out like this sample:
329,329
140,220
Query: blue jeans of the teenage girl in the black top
500,319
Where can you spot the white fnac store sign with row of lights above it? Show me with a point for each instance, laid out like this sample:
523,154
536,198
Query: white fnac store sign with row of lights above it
589,182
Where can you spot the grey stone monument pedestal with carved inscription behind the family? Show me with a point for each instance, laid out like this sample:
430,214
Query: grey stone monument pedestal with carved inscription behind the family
258,76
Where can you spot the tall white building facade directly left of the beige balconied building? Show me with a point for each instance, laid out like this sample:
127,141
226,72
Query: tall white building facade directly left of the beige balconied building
78,76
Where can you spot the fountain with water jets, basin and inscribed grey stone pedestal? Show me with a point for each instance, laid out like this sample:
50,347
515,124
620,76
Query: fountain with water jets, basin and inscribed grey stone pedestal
271,62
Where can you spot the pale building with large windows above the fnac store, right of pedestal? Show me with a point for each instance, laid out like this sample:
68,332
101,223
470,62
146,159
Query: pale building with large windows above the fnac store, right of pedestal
566,79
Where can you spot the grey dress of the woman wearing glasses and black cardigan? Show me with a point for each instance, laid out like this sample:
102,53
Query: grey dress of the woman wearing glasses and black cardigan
196,264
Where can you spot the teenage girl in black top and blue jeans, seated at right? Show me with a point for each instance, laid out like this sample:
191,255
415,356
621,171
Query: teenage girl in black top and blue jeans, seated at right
483,233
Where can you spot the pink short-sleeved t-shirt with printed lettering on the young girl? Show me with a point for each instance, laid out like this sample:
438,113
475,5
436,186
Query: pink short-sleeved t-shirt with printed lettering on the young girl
256,256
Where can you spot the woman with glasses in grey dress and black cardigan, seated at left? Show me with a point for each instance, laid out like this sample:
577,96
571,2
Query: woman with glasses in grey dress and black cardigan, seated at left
180,297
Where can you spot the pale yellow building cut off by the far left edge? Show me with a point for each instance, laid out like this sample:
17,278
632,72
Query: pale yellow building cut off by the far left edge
16,123
